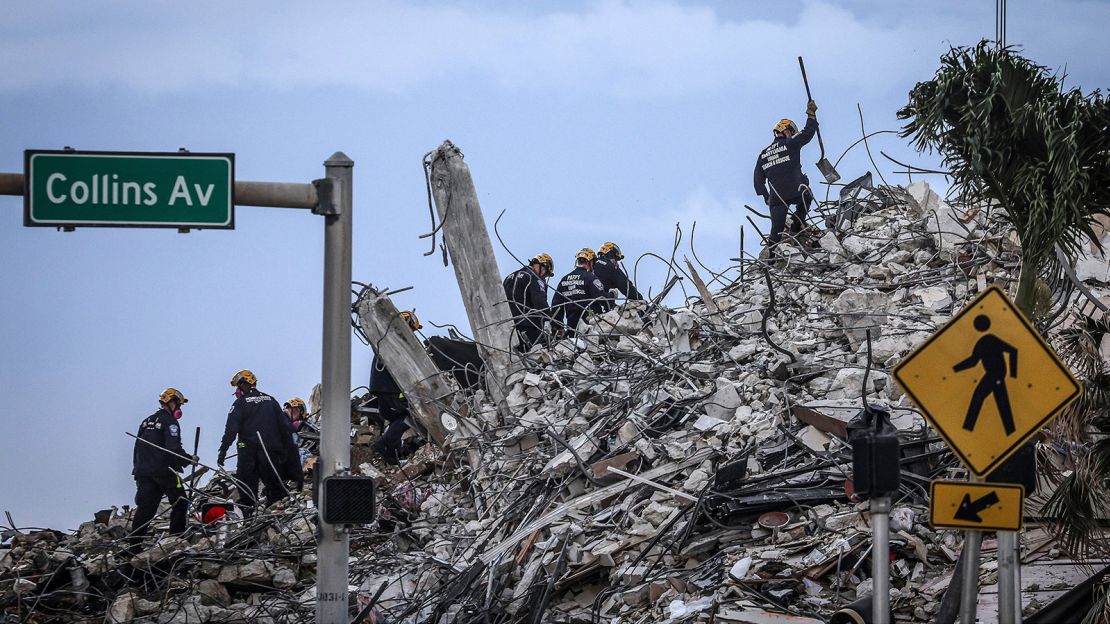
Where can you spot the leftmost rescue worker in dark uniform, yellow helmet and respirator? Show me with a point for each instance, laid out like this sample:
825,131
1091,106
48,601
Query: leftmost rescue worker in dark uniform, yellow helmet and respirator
158,458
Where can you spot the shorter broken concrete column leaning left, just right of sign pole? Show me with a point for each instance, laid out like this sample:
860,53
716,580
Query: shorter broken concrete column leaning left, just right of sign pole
422,383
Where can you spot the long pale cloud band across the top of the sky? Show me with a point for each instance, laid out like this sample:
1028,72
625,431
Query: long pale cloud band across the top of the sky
622,48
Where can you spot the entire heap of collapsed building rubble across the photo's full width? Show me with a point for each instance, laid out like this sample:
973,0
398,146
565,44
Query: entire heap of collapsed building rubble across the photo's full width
669,465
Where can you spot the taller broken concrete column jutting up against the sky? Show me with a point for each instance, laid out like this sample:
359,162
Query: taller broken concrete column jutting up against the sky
466,235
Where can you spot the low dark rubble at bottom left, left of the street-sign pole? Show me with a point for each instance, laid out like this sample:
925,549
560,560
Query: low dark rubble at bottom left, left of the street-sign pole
233,571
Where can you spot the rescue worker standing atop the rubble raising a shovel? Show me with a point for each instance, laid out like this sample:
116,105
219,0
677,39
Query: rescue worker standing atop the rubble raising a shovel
779,175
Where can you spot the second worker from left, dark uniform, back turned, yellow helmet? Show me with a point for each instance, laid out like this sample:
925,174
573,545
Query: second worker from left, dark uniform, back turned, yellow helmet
265,442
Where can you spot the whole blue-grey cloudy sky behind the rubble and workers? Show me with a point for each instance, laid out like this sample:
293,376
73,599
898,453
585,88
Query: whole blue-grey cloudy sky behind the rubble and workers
584,122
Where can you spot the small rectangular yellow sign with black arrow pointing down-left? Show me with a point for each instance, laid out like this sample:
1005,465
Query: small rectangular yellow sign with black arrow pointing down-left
984,507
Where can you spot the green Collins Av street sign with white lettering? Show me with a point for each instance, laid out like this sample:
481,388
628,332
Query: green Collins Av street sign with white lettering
67,189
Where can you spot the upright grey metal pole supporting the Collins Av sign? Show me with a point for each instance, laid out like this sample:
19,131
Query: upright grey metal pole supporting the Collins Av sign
332,567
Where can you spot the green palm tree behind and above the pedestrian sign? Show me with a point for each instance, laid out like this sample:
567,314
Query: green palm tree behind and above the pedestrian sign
1012,135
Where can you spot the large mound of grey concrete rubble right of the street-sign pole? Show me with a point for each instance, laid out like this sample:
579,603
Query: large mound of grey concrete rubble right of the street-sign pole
691,465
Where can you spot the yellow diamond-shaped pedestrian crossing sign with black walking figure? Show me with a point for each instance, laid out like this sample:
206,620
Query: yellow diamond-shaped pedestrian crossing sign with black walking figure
987,381
